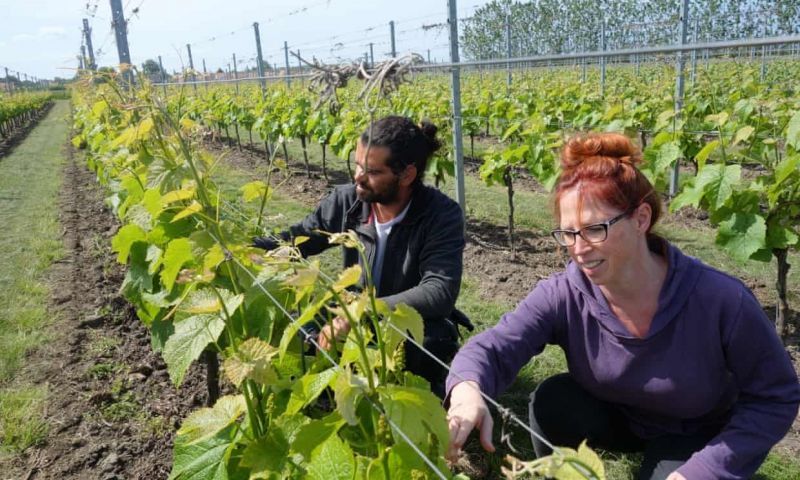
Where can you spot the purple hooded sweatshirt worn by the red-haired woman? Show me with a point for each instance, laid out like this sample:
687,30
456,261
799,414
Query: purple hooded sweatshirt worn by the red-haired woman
711,358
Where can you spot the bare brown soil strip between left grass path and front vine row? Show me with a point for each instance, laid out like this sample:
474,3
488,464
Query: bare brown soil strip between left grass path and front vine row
112,410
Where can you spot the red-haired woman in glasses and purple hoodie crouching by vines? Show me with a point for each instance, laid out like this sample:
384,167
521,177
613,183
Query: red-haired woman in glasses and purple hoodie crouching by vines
666,355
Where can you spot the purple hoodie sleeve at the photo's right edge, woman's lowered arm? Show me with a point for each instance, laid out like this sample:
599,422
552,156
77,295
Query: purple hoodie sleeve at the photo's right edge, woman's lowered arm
769,395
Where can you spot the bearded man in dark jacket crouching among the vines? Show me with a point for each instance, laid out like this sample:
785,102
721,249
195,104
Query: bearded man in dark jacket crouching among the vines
413,236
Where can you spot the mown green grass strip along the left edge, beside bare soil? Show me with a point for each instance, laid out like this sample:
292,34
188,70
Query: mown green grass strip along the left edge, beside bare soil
30,180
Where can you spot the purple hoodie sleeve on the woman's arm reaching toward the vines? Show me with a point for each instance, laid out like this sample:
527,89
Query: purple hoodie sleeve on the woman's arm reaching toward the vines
494,357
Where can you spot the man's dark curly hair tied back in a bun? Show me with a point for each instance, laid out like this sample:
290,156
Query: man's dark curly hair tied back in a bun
408,143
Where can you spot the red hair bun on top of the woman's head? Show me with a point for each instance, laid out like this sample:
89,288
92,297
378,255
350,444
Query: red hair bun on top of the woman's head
605,148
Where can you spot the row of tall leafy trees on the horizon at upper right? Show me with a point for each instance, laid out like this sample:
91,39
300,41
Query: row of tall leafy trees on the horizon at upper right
541,27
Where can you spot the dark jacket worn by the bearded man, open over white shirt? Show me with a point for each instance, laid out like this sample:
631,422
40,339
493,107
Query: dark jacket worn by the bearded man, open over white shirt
422,265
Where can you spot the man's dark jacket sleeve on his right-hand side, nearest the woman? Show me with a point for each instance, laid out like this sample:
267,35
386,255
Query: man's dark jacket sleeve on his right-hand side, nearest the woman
440,266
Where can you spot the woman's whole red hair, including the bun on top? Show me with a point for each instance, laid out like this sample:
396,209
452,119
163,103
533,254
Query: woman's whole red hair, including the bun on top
603,167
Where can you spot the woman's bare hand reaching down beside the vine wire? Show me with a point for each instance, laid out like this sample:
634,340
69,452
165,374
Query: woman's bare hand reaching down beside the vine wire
468,411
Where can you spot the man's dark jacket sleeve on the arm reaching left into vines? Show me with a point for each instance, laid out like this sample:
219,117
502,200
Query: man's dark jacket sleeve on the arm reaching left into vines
327,217
